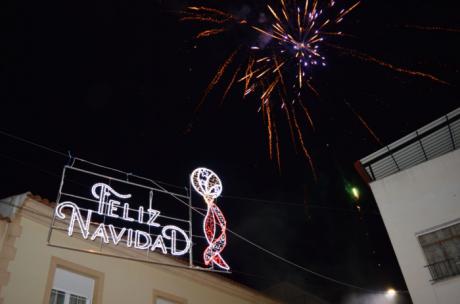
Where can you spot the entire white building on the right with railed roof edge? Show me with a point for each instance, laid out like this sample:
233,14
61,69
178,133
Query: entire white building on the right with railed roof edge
416,184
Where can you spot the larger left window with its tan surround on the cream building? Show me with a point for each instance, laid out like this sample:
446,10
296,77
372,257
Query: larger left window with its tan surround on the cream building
70,283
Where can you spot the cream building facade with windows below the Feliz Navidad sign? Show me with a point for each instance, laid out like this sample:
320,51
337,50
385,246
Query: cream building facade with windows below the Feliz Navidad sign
31,271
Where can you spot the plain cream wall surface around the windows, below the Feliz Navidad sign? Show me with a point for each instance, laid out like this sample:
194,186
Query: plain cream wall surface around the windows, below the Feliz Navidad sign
125,281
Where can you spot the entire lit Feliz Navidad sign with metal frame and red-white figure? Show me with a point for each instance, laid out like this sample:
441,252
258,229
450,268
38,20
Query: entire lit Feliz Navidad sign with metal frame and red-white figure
125,210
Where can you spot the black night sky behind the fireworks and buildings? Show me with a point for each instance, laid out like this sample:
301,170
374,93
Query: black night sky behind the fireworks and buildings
116,82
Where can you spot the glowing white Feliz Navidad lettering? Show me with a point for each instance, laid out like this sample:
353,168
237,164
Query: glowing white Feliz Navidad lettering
115,205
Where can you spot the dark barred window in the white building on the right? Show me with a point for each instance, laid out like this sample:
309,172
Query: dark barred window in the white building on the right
442,251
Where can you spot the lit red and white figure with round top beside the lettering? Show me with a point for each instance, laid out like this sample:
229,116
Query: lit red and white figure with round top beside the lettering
209,186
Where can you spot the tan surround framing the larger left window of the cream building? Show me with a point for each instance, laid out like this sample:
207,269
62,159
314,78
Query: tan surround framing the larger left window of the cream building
97,276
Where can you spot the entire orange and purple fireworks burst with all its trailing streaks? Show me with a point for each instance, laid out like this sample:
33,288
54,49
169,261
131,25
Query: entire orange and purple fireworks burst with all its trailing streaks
278,64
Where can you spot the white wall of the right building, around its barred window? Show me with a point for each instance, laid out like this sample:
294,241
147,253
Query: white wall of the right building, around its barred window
415,200
